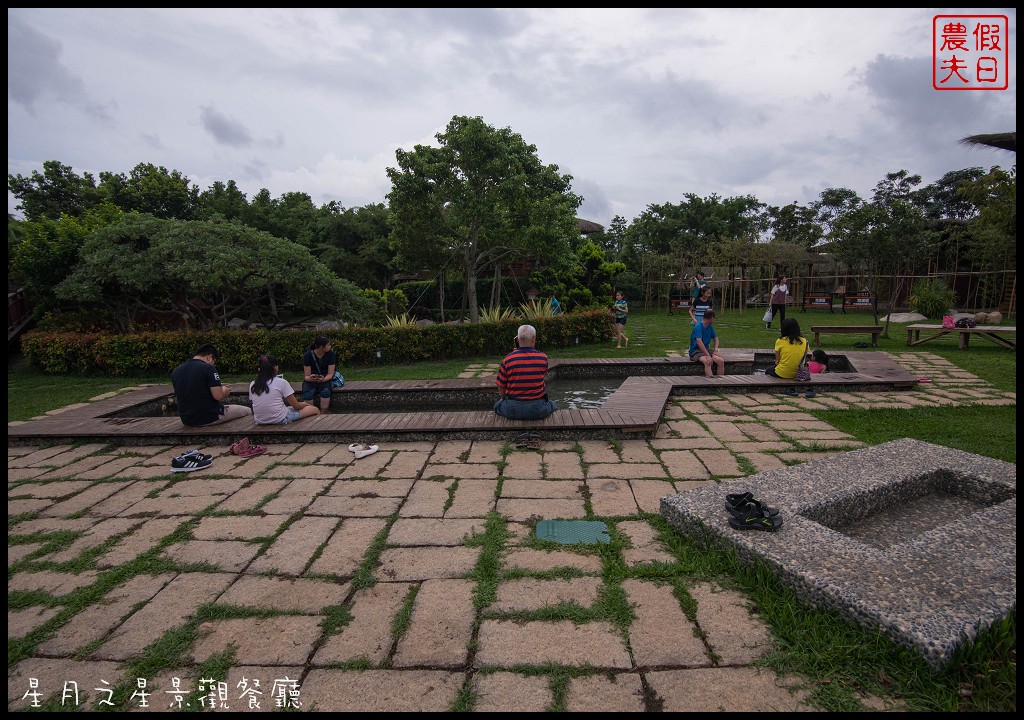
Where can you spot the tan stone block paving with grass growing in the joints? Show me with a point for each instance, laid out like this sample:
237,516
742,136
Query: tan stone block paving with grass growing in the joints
409,580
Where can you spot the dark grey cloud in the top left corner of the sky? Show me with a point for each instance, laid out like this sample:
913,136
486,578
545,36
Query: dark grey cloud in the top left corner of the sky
35,71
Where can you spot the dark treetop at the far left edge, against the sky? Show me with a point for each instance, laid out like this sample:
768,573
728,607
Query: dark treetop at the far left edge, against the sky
56,192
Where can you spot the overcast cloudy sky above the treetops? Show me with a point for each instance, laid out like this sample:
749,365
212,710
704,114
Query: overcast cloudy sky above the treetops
641,107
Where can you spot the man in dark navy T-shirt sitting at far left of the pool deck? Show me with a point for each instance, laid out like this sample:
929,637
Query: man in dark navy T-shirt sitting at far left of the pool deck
199,392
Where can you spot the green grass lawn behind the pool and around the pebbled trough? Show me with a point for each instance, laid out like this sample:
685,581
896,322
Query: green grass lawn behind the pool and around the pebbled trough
843,659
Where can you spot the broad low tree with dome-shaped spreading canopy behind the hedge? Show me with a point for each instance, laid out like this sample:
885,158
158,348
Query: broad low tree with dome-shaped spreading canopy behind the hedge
207,273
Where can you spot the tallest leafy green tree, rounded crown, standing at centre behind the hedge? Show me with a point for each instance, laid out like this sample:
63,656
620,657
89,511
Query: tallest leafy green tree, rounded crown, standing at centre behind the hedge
485,195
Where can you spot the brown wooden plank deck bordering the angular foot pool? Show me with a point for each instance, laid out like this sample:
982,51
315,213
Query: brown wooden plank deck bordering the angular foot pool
633,411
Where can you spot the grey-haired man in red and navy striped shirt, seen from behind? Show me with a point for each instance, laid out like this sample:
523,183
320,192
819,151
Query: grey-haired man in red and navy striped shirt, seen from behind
521,380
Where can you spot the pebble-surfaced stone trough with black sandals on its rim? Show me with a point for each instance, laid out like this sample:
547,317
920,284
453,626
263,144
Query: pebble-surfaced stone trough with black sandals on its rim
915,539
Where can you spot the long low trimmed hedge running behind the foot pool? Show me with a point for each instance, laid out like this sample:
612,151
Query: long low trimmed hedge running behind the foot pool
153,354
